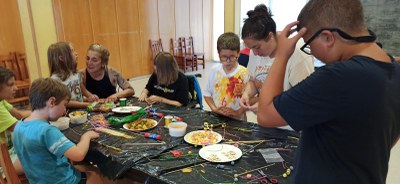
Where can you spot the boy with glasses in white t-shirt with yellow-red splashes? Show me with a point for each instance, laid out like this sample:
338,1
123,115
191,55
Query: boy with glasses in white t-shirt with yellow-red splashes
226,81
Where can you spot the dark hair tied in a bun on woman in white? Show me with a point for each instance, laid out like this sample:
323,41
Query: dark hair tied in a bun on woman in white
259,24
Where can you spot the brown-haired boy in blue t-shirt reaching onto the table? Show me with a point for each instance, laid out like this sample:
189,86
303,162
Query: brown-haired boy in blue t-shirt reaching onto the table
42,149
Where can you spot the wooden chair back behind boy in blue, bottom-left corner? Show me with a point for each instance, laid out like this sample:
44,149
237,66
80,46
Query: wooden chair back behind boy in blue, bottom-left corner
11,176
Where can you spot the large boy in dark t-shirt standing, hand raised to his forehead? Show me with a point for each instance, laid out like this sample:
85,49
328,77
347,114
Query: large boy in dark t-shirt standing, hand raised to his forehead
348,110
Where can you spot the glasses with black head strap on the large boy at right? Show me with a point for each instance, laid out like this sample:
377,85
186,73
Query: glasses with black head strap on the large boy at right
306,47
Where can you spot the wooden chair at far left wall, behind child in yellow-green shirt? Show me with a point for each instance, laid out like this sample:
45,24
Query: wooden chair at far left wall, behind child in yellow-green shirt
17,63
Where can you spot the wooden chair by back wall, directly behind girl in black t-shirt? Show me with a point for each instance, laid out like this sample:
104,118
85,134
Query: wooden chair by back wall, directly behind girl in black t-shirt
177,52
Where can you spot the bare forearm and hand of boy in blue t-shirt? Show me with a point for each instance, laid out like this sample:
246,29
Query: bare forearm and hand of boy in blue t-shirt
77,153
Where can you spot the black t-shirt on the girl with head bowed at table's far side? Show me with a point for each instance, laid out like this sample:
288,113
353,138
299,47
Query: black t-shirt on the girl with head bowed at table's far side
178,91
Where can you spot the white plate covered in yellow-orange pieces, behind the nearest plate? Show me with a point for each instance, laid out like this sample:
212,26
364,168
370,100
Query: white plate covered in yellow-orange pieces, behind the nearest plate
203,137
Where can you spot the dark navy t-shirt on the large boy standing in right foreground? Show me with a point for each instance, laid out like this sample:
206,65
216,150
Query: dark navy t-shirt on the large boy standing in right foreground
349,115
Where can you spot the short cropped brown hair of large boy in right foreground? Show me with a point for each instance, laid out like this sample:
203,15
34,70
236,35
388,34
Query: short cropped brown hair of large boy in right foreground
346,15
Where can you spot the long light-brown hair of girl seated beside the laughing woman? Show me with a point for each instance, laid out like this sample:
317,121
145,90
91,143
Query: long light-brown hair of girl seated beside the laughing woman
60,59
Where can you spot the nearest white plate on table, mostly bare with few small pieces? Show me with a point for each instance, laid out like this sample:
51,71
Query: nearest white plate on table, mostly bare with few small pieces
220,153
